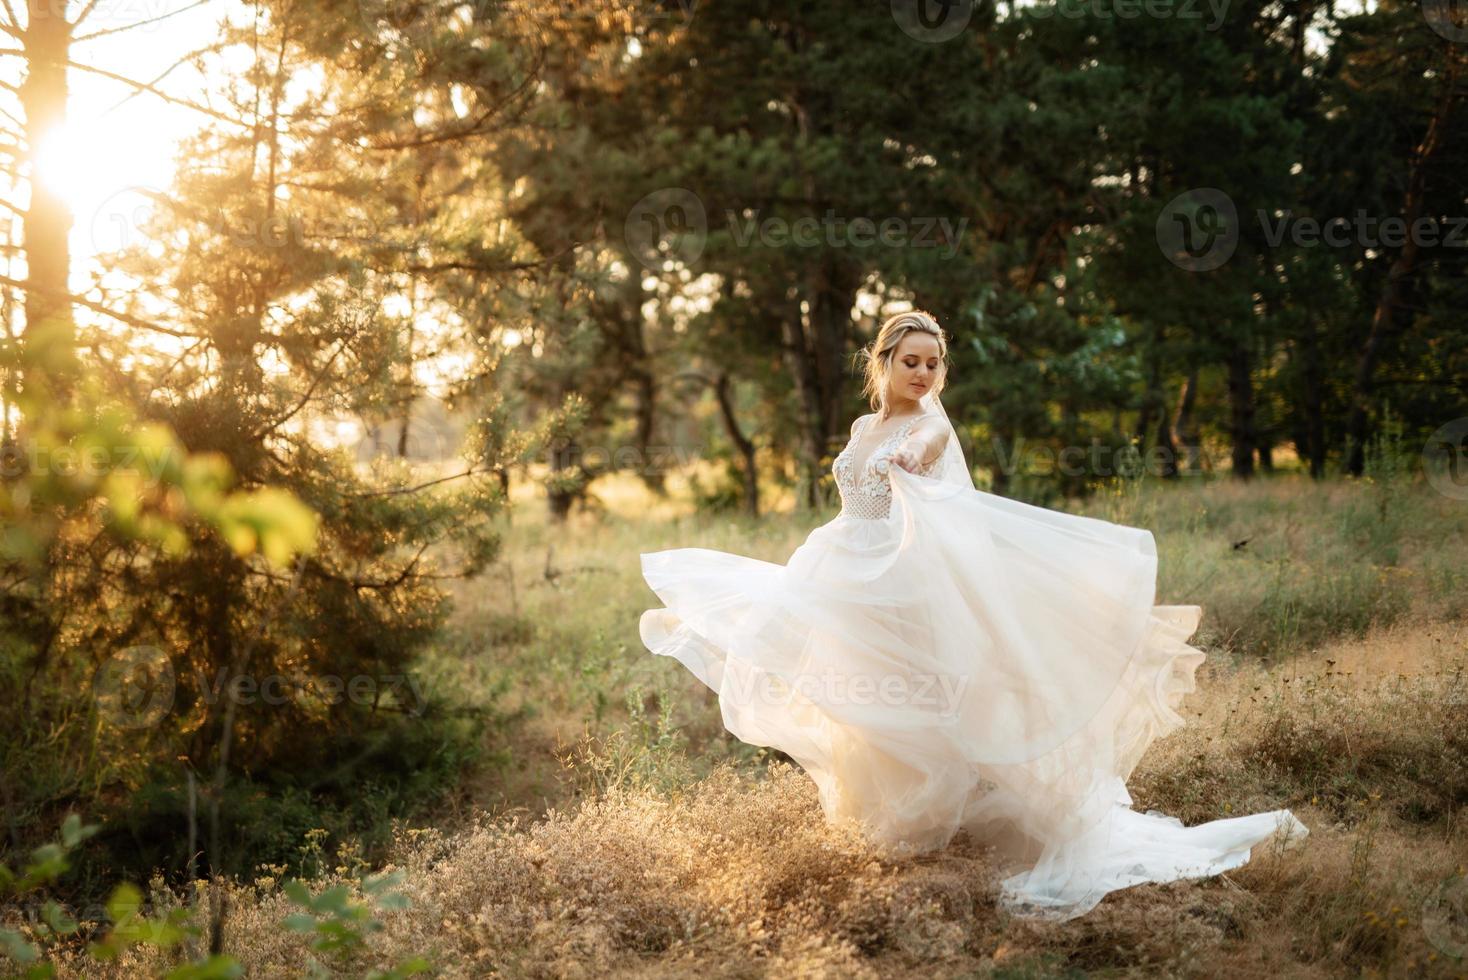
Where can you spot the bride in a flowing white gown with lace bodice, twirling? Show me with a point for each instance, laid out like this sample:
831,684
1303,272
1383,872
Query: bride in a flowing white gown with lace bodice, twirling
939,659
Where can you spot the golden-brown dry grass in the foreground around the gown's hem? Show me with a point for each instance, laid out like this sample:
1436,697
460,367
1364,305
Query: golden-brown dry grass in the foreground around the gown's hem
738,875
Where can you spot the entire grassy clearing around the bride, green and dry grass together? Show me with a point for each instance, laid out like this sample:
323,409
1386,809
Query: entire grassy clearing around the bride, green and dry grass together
617,830
